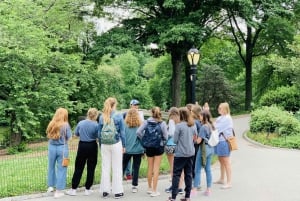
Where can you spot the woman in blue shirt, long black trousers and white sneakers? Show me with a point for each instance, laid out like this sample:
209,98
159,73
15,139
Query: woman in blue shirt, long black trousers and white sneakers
87,152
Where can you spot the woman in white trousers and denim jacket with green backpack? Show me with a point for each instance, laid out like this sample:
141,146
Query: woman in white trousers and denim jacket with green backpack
112,150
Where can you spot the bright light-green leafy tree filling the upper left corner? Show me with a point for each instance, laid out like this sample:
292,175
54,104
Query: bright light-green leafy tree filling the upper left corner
39,58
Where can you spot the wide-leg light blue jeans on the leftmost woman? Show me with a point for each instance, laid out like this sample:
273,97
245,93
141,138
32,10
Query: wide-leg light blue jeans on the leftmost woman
57,174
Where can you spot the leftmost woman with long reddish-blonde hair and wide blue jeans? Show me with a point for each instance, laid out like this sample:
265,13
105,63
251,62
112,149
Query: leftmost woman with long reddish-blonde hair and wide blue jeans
58,132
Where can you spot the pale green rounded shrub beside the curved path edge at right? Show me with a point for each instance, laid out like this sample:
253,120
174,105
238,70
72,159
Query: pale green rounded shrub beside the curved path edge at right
274,120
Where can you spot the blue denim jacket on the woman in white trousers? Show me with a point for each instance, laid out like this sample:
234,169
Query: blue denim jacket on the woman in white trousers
120,126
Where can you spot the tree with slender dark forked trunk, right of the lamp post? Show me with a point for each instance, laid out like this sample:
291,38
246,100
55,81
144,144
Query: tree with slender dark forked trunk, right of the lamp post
258,25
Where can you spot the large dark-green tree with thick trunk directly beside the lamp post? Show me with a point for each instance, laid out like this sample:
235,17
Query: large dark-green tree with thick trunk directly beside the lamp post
174,25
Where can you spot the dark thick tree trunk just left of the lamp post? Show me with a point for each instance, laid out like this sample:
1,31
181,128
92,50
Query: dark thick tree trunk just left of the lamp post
176,78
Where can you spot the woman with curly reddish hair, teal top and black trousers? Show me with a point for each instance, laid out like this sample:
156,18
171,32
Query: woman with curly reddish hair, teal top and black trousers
134,148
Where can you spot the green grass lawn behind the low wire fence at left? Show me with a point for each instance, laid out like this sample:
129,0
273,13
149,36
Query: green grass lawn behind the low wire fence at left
26,173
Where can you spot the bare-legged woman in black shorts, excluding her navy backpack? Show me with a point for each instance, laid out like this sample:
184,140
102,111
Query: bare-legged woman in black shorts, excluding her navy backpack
154,154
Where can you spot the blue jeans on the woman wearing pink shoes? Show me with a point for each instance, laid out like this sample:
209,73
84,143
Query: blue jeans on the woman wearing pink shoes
198,167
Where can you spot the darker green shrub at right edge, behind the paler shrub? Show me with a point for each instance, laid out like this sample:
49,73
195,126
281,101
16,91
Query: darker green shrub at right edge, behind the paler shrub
286,97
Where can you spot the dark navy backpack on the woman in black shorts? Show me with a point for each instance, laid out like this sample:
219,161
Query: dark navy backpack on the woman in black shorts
152,135
